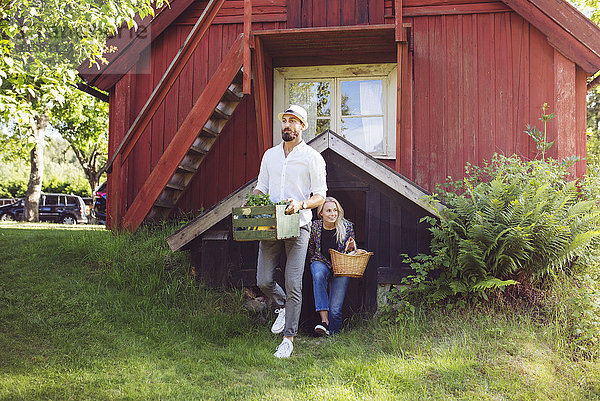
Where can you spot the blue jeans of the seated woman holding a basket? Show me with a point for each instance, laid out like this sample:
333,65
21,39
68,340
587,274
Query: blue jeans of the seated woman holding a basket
337,291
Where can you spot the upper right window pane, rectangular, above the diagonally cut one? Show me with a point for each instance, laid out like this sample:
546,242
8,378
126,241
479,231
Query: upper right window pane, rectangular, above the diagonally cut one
360,98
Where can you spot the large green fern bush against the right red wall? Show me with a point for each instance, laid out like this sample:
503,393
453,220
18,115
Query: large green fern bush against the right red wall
508,222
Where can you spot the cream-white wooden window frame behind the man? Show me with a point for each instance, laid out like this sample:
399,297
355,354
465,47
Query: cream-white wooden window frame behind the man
337,73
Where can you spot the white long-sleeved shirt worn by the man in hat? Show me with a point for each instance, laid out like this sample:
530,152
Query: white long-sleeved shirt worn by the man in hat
296,176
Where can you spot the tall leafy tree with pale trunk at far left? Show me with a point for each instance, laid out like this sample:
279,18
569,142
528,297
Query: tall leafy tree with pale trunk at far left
41,44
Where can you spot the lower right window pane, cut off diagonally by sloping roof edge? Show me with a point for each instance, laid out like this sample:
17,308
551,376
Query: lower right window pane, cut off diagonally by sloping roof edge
364,132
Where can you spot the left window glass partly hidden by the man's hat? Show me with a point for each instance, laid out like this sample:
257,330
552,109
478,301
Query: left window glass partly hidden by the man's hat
315,97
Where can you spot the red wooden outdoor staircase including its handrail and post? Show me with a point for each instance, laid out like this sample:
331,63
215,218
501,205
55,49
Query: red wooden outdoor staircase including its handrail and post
195,137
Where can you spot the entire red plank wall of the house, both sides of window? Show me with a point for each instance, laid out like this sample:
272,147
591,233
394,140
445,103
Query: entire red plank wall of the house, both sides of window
480,73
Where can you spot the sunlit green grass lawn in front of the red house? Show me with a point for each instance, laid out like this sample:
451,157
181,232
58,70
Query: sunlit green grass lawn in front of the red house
85,314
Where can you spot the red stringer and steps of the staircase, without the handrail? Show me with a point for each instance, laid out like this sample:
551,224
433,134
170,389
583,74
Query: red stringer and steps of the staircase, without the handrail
190,145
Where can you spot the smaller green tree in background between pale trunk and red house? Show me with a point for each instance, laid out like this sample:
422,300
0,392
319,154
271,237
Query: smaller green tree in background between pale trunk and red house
83,122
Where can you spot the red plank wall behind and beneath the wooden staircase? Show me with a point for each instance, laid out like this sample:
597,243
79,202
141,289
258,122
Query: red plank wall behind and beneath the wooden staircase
133,90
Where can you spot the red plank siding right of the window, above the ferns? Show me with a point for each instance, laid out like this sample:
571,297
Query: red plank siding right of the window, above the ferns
479,79
